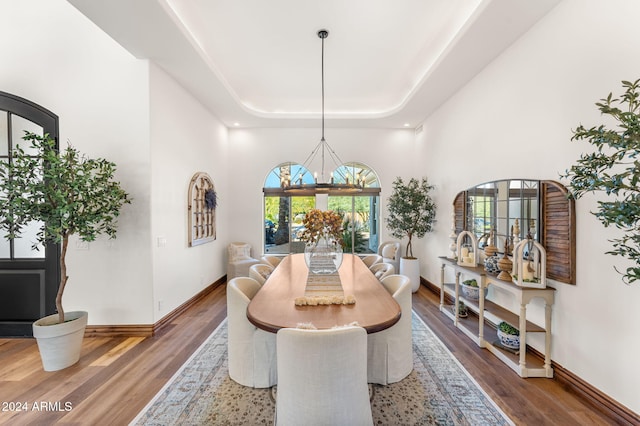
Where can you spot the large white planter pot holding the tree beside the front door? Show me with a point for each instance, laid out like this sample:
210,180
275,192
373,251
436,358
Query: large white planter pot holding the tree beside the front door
60,344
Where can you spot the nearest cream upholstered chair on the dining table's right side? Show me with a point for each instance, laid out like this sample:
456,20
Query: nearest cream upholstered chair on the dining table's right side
390,352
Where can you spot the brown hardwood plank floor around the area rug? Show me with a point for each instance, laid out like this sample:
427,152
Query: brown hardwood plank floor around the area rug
116,377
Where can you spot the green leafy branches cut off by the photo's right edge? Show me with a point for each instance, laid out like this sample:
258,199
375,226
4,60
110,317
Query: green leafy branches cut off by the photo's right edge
613,169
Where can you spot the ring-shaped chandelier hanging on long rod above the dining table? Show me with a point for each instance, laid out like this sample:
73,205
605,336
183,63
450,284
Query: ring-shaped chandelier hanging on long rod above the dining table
339,181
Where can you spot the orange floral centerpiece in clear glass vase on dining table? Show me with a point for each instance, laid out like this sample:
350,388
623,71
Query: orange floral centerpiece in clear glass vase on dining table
323,235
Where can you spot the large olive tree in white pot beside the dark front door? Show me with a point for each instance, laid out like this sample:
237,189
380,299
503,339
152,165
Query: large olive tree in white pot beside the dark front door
68,194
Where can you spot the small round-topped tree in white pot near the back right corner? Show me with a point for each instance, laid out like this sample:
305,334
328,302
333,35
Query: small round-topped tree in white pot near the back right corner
412,213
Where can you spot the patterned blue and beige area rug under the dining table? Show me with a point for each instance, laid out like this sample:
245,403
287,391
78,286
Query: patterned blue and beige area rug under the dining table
439,391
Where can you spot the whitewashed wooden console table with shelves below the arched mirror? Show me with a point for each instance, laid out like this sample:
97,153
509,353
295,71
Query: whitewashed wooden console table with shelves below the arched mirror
481,327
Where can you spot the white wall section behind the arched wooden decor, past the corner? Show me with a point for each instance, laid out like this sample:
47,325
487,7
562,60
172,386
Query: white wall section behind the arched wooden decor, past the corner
185,139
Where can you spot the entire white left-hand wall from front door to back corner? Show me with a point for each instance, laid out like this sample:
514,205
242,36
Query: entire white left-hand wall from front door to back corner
115,106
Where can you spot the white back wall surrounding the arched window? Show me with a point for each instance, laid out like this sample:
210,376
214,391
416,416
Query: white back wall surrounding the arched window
254,152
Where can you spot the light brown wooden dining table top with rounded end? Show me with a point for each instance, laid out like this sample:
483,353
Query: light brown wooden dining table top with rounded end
273,307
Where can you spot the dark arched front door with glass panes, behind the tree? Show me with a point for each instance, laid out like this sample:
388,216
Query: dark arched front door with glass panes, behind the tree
28,278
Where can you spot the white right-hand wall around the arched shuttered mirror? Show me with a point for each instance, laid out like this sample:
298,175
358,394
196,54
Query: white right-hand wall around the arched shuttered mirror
514,120
